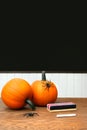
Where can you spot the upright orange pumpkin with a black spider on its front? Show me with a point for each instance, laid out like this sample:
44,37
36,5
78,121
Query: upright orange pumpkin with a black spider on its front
44,91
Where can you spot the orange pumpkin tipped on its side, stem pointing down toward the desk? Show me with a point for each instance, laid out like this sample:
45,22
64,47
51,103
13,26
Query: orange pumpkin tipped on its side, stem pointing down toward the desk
16,93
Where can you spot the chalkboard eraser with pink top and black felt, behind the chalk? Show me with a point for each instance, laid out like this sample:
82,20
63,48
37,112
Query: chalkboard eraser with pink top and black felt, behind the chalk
60,106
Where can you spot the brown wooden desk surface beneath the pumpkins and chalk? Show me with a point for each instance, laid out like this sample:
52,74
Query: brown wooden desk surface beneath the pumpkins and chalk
14,119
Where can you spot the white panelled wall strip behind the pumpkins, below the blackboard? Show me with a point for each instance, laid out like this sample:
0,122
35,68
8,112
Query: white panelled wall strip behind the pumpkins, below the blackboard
68,84
